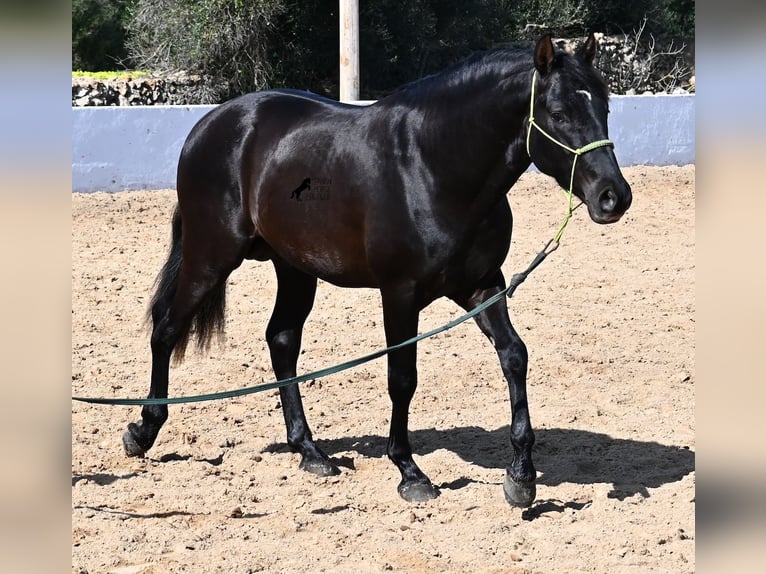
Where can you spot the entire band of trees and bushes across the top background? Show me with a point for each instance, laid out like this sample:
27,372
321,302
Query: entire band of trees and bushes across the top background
244,45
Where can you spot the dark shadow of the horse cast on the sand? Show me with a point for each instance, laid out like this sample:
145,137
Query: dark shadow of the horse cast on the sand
560,455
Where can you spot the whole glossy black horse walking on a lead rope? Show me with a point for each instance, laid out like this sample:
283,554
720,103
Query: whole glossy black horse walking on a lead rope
416,207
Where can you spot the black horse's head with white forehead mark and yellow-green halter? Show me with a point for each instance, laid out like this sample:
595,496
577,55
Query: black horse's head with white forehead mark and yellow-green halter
567,135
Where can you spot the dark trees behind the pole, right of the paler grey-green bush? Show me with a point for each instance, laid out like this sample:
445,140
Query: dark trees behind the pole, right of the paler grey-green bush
402,41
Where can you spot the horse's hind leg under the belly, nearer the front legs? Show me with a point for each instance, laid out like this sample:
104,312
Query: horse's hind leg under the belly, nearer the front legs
295,298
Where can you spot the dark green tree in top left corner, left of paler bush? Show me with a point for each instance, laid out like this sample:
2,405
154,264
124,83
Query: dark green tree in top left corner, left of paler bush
98,33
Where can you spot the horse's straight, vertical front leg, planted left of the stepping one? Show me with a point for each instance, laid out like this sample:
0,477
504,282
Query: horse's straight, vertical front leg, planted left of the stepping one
400,317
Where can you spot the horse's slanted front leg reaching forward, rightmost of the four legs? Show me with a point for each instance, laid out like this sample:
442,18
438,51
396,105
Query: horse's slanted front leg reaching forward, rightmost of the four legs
519,485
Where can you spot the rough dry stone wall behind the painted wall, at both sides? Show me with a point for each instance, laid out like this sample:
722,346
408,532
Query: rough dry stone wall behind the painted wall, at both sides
628,67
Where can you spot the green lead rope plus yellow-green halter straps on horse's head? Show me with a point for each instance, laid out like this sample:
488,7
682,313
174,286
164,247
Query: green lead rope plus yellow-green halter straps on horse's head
516,280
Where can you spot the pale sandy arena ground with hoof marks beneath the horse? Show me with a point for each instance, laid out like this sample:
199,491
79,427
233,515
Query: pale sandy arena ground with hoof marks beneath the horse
609,323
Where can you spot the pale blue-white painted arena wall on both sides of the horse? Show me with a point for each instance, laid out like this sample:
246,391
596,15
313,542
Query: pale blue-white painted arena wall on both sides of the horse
124,148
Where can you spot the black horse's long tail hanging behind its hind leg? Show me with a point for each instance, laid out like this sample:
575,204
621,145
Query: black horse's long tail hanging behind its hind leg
209,318
